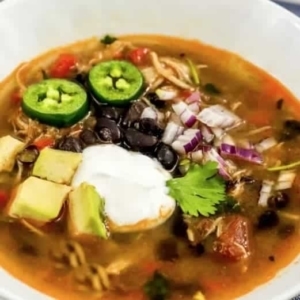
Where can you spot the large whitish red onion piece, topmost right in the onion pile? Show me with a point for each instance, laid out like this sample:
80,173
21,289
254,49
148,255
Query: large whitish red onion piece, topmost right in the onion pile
218,116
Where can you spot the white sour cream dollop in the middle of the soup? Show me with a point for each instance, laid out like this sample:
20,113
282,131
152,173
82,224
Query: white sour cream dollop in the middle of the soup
132,184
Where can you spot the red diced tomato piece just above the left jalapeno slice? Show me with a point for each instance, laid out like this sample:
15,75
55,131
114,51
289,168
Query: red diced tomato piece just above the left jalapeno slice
63,65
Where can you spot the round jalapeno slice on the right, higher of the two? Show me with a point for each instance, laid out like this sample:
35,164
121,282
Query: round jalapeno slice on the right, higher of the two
116,82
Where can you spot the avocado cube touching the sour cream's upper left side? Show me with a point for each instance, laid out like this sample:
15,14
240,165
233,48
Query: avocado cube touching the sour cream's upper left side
56,165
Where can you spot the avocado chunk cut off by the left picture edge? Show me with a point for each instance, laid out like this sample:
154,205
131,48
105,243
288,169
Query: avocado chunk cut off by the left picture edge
9,148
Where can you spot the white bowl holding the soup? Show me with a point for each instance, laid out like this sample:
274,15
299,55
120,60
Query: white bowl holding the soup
259,30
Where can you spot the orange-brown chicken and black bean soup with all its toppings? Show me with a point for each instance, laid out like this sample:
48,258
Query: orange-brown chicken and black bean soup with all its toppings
147,167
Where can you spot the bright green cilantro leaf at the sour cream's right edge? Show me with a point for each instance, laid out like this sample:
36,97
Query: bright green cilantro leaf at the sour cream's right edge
199,191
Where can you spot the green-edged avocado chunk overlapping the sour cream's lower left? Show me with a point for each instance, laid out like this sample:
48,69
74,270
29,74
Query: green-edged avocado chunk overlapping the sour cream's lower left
86,212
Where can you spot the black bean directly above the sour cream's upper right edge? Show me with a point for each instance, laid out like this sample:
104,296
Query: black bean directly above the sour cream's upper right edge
138,141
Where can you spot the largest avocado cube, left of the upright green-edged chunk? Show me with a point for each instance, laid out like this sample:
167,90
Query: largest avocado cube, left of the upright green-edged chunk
37,199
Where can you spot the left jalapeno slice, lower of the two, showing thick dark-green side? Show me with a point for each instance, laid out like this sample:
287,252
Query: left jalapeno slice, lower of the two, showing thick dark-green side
55,102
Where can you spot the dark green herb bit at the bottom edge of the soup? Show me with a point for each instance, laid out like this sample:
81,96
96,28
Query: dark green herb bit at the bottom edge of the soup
157,288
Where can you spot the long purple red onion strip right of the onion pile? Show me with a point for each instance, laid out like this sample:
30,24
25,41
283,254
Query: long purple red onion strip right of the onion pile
250,155
